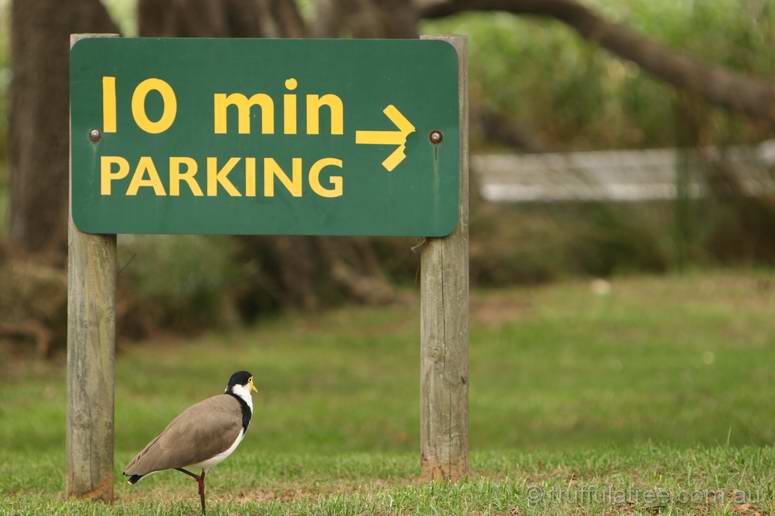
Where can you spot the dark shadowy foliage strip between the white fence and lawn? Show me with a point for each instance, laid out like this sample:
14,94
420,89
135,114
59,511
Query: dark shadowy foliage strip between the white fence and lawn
541,242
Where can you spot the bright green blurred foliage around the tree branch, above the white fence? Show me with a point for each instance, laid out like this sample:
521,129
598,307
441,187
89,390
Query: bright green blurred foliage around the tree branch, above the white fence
573,95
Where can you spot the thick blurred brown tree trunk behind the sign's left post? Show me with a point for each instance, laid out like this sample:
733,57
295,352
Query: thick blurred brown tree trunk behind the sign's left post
39,132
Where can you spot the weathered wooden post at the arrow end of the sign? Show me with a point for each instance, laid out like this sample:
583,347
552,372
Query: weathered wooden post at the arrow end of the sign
444,325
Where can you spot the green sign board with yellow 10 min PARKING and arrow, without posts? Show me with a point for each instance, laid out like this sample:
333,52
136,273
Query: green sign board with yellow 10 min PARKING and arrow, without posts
263,136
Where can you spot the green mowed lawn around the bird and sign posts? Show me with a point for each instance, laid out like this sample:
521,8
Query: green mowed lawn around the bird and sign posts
657,397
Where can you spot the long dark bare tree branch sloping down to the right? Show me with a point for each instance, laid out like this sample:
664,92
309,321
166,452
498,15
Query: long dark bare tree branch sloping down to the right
713,83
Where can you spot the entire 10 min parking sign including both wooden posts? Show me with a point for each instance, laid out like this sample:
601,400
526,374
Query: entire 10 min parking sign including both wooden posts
354,137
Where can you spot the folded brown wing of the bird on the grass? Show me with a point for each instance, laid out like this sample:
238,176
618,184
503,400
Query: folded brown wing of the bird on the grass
199,433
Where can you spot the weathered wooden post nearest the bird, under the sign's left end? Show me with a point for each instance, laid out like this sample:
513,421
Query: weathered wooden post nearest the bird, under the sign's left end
91,295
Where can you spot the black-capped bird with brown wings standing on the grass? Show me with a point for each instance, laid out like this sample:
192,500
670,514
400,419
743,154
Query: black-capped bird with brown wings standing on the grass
202,436
